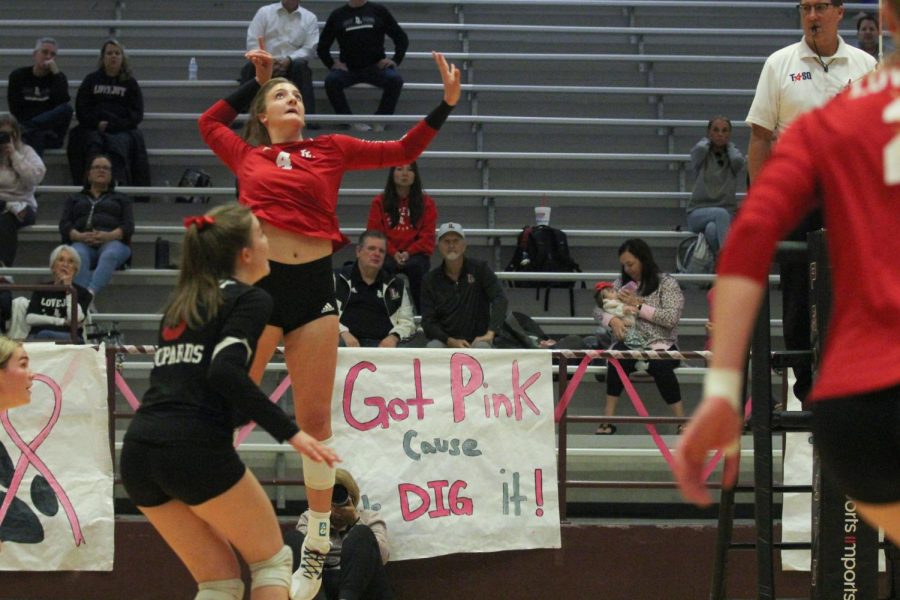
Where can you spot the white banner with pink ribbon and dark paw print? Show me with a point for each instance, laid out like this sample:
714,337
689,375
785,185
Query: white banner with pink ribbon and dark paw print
56,475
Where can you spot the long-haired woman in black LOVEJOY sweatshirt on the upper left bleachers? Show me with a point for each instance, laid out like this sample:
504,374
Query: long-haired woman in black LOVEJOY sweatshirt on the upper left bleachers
110,106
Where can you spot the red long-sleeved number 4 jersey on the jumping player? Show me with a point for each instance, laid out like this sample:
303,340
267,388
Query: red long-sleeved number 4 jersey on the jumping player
294,186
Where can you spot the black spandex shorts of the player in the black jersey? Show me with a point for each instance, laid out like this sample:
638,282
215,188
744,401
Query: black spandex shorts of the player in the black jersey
154,474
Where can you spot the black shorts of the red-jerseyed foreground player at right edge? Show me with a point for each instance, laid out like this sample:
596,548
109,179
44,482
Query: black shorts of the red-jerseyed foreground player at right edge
858,438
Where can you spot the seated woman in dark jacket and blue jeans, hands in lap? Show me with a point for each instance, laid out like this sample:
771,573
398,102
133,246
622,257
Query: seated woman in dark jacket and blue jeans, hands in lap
98,222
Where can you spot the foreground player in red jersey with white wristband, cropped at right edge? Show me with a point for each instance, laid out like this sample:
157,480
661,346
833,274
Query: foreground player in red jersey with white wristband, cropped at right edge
844,158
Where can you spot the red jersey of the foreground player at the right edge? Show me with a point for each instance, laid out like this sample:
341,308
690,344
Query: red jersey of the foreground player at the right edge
844,158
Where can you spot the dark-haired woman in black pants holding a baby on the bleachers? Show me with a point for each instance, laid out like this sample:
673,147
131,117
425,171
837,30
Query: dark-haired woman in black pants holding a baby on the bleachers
642,312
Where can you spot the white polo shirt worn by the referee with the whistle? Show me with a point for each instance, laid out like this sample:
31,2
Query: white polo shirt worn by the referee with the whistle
793,81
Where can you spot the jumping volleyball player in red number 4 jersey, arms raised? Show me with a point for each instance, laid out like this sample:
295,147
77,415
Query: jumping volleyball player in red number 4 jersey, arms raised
291,184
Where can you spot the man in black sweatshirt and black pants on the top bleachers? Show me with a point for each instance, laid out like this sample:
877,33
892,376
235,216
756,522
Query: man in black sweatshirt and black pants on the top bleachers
360,28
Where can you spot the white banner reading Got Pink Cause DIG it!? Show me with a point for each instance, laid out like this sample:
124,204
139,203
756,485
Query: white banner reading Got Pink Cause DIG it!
455,449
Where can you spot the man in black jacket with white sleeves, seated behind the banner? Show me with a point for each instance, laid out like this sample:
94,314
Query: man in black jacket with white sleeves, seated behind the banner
375,308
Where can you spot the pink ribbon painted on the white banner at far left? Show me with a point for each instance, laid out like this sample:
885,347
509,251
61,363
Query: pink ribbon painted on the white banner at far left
29,455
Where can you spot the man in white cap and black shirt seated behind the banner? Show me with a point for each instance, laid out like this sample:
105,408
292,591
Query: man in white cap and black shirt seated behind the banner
463,304
